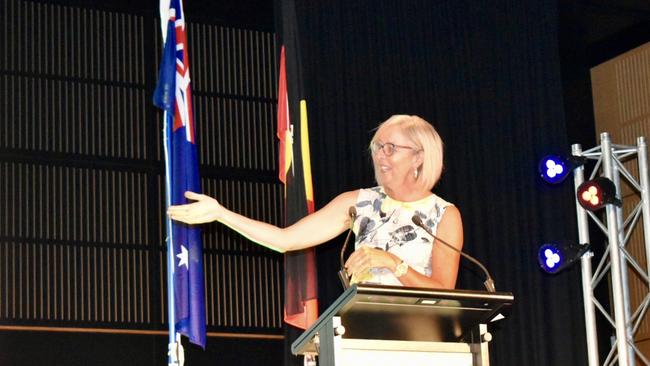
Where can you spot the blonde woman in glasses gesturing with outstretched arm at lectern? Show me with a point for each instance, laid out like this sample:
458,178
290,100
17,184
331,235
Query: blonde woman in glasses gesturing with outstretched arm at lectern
390,249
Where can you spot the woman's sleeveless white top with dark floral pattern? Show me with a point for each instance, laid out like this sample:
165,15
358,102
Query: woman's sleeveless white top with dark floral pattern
385,223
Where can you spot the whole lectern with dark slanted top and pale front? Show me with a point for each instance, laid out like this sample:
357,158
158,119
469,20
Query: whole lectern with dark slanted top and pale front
386,325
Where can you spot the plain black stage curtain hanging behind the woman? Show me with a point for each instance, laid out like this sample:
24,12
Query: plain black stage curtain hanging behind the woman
486,74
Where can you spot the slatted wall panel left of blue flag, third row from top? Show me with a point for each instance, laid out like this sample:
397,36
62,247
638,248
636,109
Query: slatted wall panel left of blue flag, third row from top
73,204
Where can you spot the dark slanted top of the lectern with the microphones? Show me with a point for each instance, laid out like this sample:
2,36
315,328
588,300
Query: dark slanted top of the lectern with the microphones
410,314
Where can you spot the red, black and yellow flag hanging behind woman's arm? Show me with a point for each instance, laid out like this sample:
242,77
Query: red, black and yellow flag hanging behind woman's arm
300,295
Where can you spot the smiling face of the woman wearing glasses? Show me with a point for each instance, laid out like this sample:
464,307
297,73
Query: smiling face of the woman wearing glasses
394,169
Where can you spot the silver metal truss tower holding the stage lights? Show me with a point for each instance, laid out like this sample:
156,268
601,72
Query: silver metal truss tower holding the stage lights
614,264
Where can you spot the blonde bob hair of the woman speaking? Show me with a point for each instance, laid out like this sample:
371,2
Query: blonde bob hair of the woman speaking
426,139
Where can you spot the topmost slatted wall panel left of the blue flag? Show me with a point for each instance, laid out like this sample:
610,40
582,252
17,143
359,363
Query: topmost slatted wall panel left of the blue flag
53,40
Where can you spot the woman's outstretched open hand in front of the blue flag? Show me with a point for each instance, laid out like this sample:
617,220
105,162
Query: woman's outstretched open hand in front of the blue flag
205,209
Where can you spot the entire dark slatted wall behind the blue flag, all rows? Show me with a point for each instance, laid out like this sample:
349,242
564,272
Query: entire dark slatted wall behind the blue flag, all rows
82,232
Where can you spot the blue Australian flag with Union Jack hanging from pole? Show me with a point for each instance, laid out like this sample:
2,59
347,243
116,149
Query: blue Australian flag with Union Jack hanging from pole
173,94
